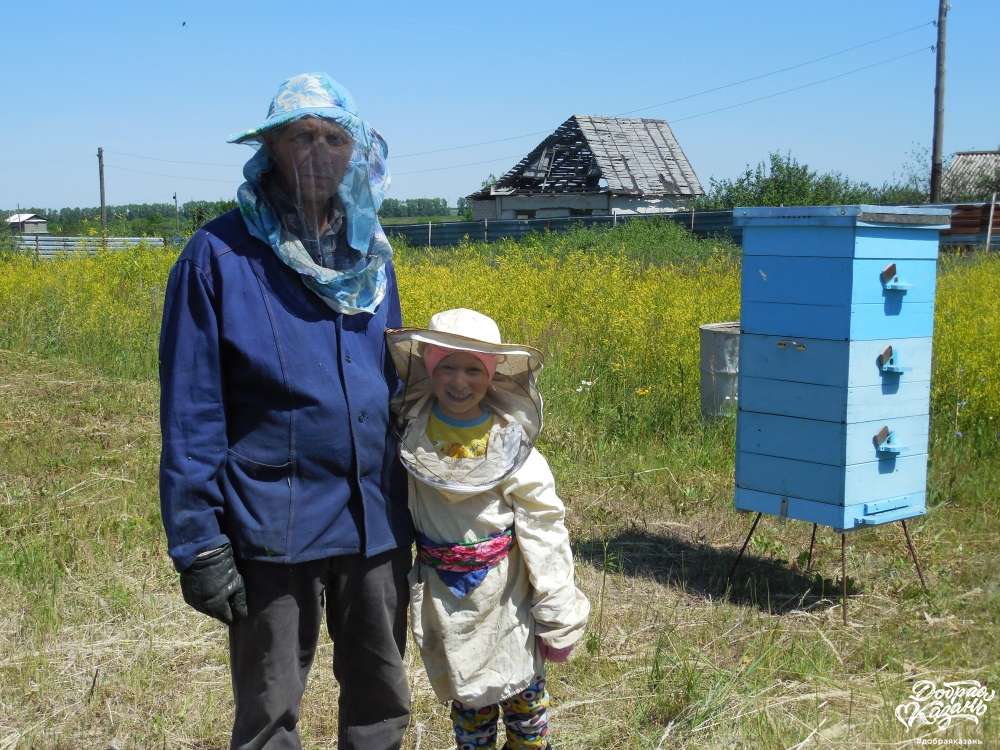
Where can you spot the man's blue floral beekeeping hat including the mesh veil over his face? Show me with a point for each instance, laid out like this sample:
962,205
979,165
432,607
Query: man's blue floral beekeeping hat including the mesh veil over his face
315,145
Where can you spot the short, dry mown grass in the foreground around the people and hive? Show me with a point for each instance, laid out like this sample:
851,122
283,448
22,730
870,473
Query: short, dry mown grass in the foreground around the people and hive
97,648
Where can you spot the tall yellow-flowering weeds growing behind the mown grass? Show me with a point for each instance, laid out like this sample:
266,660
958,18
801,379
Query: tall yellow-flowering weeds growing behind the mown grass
616,313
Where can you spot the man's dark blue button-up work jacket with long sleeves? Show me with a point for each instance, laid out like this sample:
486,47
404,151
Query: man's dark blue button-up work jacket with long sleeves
274,411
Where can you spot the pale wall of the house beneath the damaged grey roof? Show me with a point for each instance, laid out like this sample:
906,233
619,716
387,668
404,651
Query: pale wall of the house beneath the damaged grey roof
554,206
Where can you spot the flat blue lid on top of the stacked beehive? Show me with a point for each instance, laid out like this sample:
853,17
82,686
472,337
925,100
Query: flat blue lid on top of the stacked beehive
921,217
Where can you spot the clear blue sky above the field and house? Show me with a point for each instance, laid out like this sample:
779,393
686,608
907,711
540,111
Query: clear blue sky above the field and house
170,81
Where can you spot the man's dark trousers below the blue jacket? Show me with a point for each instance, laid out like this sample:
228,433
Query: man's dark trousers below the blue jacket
272,649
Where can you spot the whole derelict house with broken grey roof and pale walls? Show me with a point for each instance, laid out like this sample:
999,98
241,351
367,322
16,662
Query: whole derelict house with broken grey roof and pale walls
594,166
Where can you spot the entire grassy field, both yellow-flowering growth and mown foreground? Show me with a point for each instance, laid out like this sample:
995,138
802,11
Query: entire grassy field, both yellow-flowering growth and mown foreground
97,647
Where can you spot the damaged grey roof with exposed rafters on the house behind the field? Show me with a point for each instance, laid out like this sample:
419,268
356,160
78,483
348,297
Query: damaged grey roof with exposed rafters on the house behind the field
587,154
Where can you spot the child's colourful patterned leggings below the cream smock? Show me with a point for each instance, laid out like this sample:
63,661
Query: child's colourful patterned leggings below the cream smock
525,715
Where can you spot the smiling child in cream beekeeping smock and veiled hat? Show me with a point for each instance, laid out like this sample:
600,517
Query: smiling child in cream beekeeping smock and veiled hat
492,591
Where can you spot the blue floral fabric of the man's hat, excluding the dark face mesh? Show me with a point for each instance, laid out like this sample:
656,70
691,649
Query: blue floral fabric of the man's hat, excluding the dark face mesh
361,191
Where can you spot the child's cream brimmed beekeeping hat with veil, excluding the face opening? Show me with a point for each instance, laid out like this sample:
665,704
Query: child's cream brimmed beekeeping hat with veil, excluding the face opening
513,397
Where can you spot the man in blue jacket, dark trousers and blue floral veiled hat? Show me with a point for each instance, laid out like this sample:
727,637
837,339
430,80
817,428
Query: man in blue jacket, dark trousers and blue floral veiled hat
281,493
